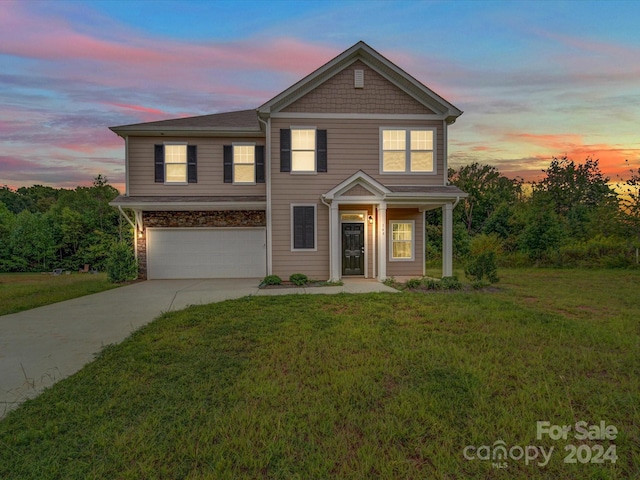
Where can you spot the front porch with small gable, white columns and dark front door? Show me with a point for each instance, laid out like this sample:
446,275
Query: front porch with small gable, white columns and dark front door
376,231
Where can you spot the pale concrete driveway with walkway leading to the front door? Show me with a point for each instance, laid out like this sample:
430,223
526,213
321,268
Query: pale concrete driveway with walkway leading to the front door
41,346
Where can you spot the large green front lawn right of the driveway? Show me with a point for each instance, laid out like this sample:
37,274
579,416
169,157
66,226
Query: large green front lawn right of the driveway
354,386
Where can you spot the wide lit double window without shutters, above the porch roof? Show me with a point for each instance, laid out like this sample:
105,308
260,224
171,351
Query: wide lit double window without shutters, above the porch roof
407,150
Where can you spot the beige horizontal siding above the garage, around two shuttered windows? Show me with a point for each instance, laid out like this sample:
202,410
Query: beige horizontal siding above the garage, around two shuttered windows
210,168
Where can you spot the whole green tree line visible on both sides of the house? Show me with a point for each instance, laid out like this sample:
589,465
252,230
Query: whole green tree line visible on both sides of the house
572,217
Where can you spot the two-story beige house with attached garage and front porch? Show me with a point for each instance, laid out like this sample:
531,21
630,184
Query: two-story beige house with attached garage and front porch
329,178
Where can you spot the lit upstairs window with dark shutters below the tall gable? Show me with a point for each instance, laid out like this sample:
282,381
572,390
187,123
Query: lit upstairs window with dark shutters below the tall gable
303,150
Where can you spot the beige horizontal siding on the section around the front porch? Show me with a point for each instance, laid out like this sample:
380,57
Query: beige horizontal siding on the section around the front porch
352,145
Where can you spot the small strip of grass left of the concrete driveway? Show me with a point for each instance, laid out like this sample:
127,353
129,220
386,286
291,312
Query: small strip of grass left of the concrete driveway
23,291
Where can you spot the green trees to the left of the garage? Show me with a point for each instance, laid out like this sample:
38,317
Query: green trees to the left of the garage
43,228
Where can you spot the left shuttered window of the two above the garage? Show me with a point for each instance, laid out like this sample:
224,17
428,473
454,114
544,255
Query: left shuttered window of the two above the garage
176,164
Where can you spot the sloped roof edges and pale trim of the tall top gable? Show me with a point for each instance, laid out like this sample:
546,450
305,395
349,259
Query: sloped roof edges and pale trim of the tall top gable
363,52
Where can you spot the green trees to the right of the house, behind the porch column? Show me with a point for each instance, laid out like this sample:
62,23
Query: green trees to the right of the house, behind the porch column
572,217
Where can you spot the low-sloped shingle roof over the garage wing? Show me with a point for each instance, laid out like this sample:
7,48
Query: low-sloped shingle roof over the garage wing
242,121
